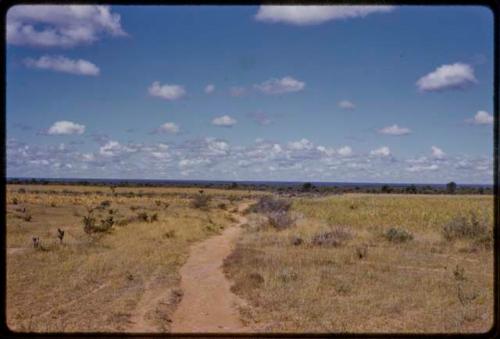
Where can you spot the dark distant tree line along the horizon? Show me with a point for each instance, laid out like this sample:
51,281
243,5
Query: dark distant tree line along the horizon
304,188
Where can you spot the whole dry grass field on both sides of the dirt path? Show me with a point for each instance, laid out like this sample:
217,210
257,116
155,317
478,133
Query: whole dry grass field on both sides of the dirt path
335,266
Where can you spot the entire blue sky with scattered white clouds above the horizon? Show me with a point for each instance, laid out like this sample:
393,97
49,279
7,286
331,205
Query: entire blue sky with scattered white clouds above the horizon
400,94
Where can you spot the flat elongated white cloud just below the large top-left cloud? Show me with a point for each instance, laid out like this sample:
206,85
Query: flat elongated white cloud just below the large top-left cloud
62,64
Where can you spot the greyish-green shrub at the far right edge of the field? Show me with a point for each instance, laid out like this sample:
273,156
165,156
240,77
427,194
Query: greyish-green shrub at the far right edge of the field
461,227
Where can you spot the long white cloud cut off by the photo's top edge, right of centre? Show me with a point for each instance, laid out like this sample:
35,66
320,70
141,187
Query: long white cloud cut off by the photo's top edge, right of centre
311,15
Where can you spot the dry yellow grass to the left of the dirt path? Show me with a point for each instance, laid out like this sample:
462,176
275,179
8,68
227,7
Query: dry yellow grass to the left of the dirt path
96,283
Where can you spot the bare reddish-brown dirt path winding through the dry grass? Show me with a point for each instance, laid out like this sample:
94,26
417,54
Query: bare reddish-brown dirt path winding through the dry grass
208,305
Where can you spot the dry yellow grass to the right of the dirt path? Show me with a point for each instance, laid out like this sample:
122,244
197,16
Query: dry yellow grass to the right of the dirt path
415,286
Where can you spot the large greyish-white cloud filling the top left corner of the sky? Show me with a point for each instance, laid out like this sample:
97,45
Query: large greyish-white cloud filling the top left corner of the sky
60,25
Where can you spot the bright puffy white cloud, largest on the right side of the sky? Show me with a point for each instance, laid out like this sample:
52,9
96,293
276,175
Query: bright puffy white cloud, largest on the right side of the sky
453,76
